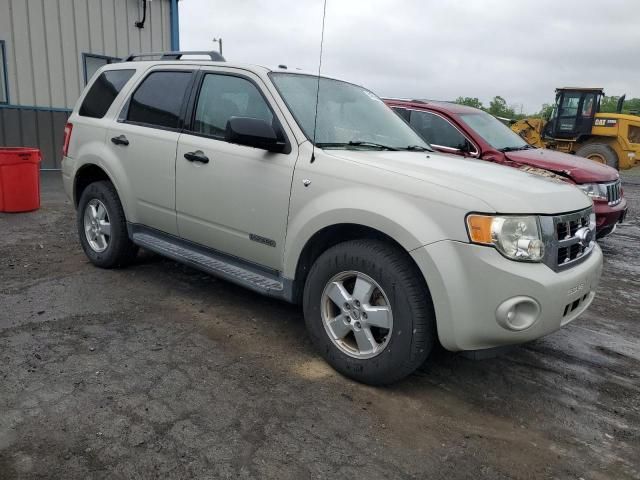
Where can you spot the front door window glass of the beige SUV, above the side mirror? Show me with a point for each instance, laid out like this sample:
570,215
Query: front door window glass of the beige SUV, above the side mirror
225,96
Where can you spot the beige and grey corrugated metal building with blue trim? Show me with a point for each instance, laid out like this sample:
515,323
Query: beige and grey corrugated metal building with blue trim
49,49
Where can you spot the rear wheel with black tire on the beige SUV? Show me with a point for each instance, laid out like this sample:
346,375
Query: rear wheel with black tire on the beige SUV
99,205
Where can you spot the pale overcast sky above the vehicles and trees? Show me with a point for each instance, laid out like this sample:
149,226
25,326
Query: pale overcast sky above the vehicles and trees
518,49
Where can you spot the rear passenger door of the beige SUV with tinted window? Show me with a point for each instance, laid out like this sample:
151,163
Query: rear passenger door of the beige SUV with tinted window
145,137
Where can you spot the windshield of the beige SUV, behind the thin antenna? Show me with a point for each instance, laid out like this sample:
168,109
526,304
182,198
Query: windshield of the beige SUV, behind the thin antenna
348,116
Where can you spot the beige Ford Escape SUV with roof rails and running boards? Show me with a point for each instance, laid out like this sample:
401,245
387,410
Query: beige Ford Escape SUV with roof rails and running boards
388,246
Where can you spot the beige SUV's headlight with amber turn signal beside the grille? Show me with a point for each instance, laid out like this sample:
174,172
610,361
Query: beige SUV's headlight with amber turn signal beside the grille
517,238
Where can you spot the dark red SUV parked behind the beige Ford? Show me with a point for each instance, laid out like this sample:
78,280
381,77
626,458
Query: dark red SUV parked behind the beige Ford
470,132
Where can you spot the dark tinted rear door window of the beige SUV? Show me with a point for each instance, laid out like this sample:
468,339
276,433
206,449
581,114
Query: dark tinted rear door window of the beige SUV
159,98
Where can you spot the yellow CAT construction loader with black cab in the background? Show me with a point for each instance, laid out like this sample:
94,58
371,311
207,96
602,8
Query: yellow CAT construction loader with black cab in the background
577,126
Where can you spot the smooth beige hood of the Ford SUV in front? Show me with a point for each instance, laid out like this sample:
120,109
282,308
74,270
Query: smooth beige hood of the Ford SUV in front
506,190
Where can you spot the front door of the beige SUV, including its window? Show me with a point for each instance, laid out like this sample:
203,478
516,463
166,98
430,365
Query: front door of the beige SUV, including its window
230,197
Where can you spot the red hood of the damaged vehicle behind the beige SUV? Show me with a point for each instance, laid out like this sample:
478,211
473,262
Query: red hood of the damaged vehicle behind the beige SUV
581,170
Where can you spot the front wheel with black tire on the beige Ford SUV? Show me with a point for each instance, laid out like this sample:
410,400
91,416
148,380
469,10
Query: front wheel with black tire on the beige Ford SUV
400,349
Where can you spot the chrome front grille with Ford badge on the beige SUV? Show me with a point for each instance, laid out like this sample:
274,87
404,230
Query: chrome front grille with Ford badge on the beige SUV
570,238
